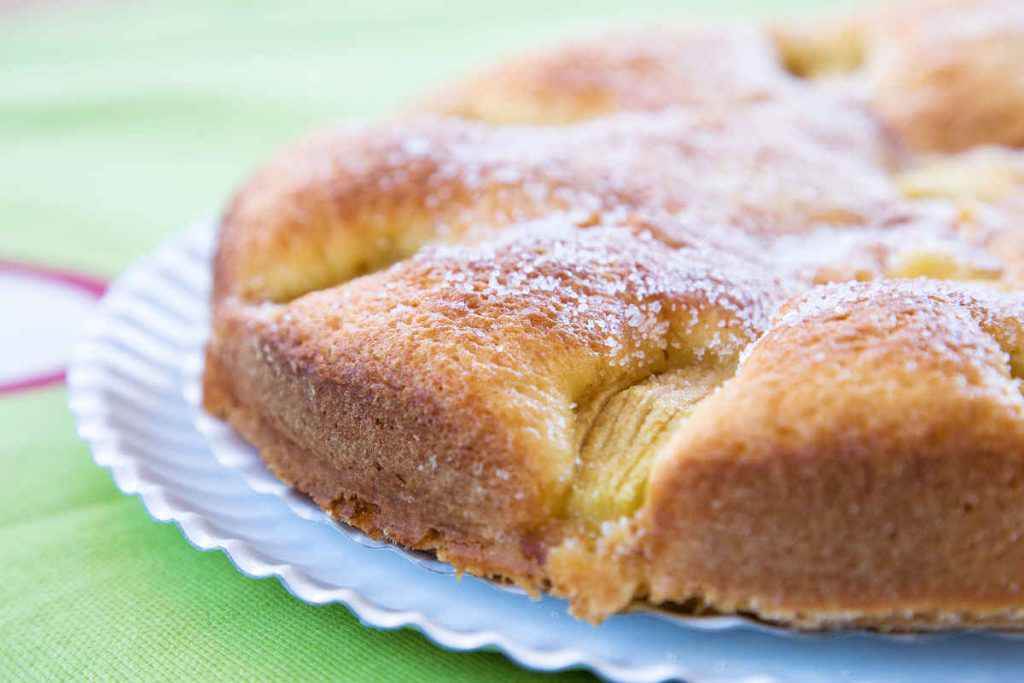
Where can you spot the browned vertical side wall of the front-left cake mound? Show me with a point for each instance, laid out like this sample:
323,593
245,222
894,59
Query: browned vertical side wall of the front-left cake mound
258,390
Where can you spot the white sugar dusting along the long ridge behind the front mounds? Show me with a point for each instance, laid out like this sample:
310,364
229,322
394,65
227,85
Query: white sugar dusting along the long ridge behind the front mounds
773,167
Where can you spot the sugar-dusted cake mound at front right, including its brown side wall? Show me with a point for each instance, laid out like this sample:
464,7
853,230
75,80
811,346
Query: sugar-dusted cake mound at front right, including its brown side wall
881,425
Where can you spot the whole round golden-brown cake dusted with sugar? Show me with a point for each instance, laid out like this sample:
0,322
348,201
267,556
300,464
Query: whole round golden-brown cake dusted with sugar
723,336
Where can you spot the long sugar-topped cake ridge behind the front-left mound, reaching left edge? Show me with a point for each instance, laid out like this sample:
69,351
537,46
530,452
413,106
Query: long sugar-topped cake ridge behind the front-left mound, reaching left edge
352,201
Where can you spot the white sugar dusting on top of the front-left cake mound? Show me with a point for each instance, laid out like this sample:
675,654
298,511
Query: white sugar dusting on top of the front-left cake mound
606,287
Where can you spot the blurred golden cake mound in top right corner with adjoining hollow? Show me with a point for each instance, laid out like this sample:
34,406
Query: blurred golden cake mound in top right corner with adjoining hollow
944,74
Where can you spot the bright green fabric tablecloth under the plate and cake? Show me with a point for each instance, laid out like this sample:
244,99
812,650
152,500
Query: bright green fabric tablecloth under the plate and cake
120,123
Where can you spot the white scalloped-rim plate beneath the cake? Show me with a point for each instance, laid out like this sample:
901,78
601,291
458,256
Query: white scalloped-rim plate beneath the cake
135,393
